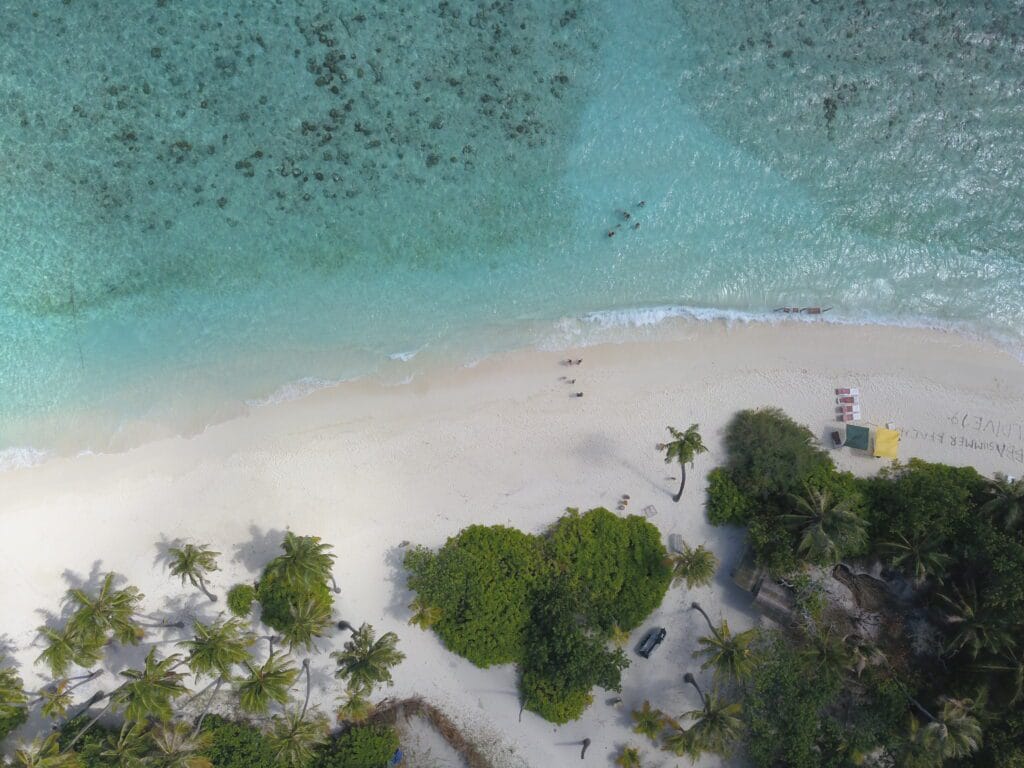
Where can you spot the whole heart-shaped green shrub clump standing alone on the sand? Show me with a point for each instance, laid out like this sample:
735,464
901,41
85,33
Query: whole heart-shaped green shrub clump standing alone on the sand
550,604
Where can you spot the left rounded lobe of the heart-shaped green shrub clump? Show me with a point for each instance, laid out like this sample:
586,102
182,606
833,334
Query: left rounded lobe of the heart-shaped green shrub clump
482,580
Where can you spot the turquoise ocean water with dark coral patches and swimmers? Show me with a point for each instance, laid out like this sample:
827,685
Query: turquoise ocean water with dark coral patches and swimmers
208,205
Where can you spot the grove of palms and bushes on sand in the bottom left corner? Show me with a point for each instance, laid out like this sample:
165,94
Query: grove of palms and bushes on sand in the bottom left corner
223,657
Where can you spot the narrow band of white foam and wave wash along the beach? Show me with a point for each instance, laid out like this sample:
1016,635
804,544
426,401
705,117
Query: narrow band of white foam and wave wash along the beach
595,329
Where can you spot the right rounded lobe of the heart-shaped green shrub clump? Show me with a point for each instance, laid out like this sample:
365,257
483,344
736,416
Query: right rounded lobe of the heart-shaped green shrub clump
617,567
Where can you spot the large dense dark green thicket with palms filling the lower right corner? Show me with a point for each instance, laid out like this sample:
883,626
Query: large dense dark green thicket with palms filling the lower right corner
941,681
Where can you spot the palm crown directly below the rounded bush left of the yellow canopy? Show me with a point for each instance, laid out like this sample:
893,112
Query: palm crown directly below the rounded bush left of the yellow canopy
827,528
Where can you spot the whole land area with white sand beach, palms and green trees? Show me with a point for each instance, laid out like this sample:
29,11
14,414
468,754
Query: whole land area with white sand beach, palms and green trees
823,608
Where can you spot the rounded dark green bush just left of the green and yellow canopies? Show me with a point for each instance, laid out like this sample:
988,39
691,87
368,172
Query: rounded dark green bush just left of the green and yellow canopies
770,454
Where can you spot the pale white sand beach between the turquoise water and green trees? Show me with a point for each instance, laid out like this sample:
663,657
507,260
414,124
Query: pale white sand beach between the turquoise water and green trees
369,467
